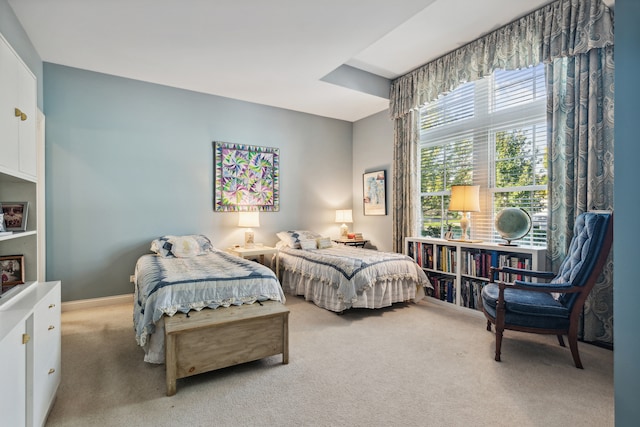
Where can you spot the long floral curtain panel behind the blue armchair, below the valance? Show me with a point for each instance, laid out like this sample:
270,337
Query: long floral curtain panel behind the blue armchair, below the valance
580,128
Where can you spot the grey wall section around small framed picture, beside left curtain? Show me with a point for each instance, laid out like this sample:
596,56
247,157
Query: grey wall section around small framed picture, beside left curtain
372,151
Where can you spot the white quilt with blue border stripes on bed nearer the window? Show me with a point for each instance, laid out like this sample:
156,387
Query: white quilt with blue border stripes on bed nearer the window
351,271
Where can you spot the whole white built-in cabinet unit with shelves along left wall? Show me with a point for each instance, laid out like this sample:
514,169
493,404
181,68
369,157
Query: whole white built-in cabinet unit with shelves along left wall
30,337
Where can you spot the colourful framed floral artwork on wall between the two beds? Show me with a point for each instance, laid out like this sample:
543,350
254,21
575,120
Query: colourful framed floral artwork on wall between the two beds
246,177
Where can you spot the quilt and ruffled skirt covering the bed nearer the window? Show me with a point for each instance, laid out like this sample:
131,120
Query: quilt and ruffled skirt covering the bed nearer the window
343,277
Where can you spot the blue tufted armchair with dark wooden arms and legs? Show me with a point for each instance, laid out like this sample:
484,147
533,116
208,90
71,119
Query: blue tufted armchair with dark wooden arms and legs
531,306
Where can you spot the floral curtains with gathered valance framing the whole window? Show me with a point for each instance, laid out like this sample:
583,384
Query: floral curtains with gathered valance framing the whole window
577,32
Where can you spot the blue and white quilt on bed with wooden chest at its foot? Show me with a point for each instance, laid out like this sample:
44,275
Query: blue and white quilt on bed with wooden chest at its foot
165,286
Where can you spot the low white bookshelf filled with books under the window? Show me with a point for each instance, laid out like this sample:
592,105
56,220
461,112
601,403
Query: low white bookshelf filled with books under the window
459,270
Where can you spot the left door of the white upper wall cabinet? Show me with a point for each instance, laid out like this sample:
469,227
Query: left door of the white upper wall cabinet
9,146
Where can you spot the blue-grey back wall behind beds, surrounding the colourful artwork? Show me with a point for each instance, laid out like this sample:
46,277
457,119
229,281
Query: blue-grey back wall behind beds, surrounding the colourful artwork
129,161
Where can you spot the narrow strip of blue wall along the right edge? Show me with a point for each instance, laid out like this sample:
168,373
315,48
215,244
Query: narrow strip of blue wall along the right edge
626,290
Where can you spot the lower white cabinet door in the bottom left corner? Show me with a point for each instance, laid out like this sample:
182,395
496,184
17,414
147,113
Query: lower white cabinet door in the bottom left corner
13,374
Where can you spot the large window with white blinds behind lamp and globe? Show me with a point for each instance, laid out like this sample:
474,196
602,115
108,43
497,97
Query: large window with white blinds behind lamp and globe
492,133
